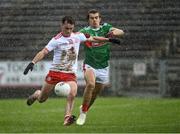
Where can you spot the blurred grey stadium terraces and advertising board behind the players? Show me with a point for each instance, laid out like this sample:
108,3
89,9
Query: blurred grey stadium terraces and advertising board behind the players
145,64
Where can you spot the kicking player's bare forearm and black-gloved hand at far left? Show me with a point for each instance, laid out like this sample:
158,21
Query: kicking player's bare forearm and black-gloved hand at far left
39,56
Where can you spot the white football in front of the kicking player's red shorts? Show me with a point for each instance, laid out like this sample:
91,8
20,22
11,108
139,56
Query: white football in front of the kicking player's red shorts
62,89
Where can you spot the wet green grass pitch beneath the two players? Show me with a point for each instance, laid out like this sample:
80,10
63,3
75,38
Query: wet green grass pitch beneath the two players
108,115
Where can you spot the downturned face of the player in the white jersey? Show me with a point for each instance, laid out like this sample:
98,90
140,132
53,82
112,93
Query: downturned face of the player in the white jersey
67,29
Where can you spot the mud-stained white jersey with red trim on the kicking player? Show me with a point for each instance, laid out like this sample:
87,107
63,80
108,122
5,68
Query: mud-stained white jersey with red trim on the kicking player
66,51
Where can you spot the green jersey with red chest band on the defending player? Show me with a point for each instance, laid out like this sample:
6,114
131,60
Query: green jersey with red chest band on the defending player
97,54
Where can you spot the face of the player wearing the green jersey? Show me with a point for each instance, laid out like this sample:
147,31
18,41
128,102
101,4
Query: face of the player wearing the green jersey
94,20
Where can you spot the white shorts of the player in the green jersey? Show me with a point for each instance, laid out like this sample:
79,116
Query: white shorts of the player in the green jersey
102,75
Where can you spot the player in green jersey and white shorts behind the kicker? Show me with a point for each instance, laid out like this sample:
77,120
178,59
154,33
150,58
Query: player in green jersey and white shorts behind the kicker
96,60
